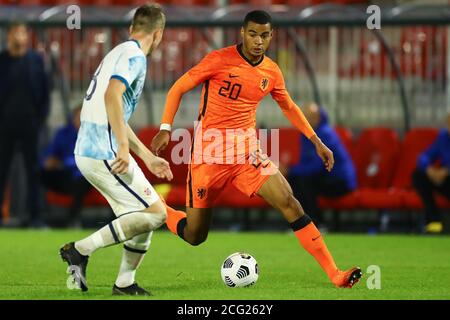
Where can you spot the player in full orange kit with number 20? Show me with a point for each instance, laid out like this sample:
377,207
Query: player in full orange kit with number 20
235,79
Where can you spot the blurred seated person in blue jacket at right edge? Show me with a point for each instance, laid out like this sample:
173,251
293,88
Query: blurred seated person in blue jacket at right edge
429,178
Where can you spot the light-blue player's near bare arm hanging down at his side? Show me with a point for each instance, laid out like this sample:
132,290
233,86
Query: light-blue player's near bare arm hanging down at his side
114,111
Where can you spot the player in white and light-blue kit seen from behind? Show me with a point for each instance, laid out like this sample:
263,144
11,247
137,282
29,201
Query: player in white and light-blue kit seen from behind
102,155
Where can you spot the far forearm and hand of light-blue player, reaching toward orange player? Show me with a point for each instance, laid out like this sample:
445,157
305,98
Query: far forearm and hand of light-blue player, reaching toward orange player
158,166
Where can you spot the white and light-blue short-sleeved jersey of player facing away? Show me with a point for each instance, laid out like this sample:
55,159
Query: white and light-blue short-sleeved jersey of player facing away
127,63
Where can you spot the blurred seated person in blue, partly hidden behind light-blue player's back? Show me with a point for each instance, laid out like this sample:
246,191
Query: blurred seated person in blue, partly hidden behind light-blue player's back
59,171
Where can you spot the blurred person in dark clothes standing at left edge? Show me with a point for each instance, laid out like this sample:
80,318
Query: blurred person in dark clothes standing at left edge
24,99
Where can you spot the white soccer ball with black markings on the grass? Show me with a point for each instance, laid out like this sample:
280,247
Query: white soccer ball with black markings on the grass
239,270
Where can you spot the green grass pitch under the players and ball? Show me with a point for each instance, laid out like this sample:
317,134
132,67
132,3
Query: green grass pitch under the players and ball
412,267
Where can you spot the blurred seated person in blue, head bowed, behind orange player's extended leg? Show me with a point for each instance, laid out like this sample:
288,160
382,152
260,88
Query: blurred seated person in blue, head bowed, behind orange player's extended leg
309,179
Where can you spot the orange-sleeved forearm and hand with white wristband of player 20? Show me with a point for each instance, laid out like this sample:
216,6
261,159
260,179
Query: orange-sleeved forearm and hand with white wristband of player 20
176,92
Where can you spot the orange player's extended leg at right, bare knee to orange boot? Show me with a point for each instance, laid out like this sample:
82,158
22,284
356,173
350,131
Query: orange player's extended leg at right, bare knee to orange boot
277,192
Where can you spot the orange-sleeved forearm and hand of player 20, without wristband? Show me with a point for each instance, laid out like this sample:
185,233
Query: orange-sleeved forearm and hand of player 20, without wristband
298,119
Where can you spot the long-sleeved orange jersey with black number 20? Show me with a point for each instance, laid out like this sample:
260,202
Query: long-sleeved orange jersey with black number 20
233,88
